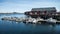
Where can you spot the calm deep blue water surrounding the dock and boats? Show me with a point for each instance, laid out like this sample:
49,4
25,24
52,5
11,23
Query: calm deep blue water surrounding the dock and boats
22,28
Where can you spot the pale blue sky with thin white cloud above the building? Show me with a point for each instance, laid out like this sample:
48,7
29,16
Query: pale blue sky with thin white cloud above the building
22,6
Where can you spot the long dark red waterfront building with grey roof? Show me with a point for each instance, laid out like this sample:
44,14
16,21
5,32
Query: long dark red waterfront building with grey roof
42,12
